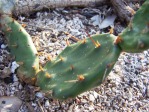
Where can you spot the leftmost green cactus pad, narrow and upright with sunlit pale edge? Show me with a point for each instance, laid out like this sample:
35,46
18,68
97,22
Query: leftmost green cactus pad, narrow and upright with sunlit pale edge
21,47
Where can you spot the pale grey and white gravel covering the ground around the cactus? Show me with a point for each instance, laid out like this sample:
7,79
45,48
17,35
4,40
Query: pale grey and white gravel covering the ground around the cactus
125,89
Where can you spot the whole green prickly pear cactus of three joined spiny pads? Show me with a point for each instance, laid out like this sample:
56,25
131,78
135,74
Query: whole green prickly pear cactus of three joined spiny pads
81,66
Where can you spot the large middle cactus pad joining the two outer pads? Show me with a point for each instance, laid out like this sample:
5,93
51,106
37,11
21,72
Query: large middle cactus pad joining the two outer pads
79,67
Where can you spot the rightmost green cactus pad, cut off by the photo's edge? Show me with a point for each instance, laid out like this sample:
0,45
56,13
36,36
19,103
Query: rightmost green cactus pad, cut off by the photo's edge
135,38
